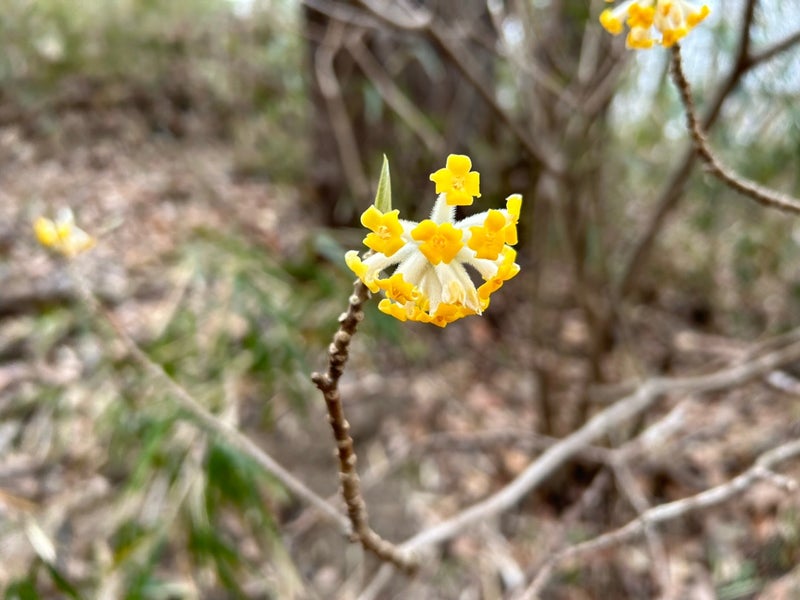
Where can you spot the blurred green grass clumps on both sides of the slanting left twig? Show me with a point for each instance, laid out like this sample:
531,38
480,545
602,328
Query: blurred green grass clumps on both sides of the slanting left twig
245,320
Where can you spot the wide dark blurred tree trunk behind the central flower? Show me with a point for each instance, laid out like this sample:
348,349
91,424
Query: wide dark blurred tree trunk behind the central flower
429,80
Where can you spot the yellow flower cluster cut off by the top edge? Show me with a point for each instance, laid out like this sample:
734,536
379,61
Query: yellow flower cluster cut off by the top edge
673,19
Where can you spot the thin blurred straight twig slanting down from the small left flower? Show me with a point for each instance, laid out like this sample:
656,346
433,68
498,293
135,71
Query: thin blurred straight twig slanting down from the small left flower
203,417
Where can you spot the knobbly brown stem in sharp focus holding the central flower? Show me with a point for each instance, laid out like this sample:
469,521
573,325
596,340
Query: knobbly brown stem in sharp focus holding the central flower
328,384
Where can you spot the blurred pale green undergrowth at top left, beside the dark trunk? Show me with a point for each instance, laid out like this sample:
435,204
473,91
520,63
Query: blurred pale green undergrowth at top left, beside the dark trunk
242,74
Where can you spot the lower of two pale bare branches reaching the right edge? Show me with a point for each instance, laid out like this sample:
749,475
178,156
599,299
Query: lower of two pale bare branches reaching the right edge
668,512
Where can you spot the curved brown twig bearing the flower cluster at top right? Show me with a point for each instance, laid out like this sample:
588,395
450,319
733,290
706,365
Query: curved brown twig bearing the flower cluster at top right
762,195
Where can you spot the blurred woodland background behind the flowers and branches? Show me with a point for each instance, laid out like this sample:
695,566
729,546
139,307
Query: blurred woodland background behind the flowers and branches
222,152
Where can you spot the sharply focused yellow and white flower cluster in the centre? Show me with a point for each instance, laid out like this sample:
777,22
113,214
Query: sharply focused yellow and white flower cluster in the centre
430,282
